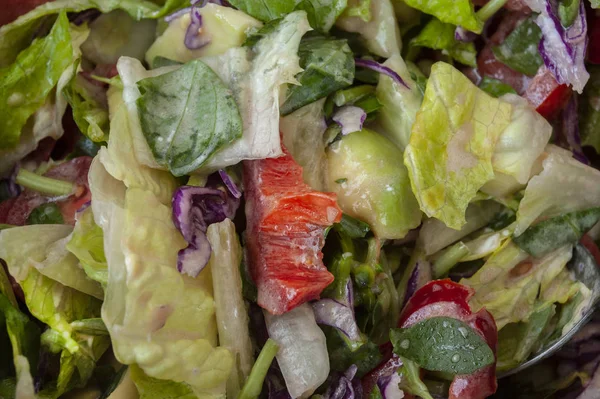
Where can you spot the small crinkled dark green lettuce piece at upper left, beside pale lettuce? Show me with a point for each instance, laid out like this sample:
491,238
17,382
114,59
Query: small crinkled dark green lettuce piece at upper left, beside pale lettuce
91,116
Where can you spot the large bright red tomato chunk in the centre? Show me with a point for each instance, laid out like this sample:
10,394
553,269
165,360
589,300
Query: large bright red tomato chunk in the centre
286,220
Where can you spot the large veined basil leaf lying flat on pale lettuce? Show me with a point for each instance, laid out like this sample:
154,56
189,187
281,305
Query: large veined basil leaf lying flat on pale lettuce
186,115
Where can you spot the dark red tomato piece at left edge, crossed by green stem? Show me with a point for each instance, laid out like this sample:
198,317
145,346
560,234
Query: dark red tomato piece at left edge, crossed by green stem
17,210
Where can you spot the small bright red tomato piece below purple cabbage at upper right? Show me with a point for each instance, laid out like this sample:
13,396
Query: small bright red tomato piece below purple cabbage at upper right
546,94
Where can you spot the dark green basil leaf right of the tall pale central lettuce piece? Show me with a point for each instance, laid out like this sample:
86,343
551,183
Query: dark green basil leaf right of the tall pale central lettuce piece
328,66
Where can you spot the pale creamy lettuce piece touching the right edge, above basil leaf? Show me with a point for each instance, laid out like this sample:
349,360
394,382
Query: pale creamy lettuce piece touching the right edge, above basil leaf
565,185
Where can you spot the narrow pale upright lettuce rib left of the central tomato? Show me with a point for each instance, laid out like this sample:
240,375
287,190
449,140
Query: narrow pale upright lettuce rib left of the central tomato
230,308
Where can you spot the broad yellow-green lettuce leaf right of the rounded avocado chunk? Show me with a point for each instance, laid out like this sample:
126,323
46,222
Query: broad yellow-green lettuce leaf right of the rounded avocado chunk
449,156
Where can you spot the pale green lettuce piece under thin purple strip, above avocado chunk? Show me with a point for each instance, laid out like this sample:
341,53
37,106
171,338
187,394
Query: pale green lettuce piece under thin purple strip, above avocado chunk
399,104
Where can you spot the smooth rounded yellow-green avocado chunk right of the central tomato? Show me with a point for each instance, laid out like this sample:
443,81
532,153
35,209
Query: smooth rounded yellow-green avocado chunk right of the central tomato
377,188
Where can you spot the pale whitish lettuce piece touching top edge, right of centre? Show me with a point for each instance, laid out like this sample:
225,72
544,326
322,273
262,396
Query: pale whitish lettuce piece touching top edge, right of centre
380,32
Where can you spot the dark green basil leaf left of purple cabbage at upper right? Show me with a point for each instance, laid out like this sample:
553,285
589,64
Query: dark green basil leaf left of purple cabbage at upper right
519,51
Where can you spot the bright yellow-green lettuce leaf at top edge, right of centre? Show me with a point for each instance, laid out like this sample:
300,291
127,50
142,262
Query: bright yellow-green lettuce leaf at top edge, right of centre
458,13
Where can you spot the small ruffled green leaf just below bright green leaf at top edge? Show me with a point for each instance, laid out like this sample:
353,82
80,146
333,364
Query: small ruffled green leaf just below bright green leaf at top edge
440,36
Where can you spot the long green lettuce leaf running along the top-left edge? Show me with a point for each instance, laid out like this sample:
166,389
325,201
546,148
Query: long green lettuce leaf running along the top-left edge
17,35
